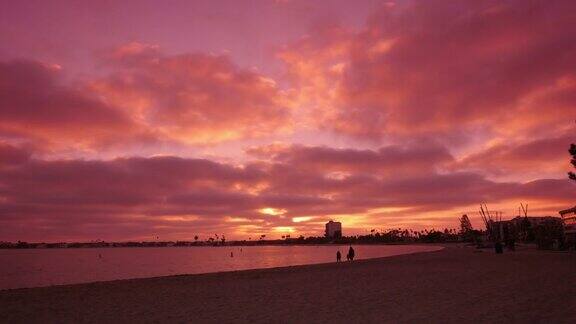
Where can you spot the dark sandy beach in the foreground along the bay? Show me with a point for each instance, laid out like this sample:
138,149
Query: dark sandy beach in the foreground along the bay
457,284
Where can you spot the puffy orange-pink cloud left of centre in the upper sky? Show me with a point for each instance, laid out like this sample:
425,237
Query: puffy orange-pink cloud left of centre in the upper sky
193,98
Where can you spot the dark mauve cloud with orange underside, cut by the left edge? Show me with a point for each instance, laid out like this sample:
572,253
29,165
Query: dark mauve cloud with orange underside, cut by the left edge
37,105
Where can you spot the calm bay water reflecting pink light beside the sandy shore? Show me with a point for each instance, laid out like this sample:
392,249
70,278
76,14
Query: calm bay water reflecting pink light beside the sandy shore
45,267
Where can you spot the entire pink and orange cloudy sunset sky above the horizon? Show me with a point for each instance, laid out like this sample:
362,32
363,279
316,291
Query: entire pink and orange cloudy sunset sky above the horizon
138,120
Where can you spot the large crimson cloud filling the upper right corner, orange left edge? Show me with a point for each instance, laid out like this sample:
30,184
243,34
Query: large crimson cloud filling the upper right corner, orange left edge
449,70
